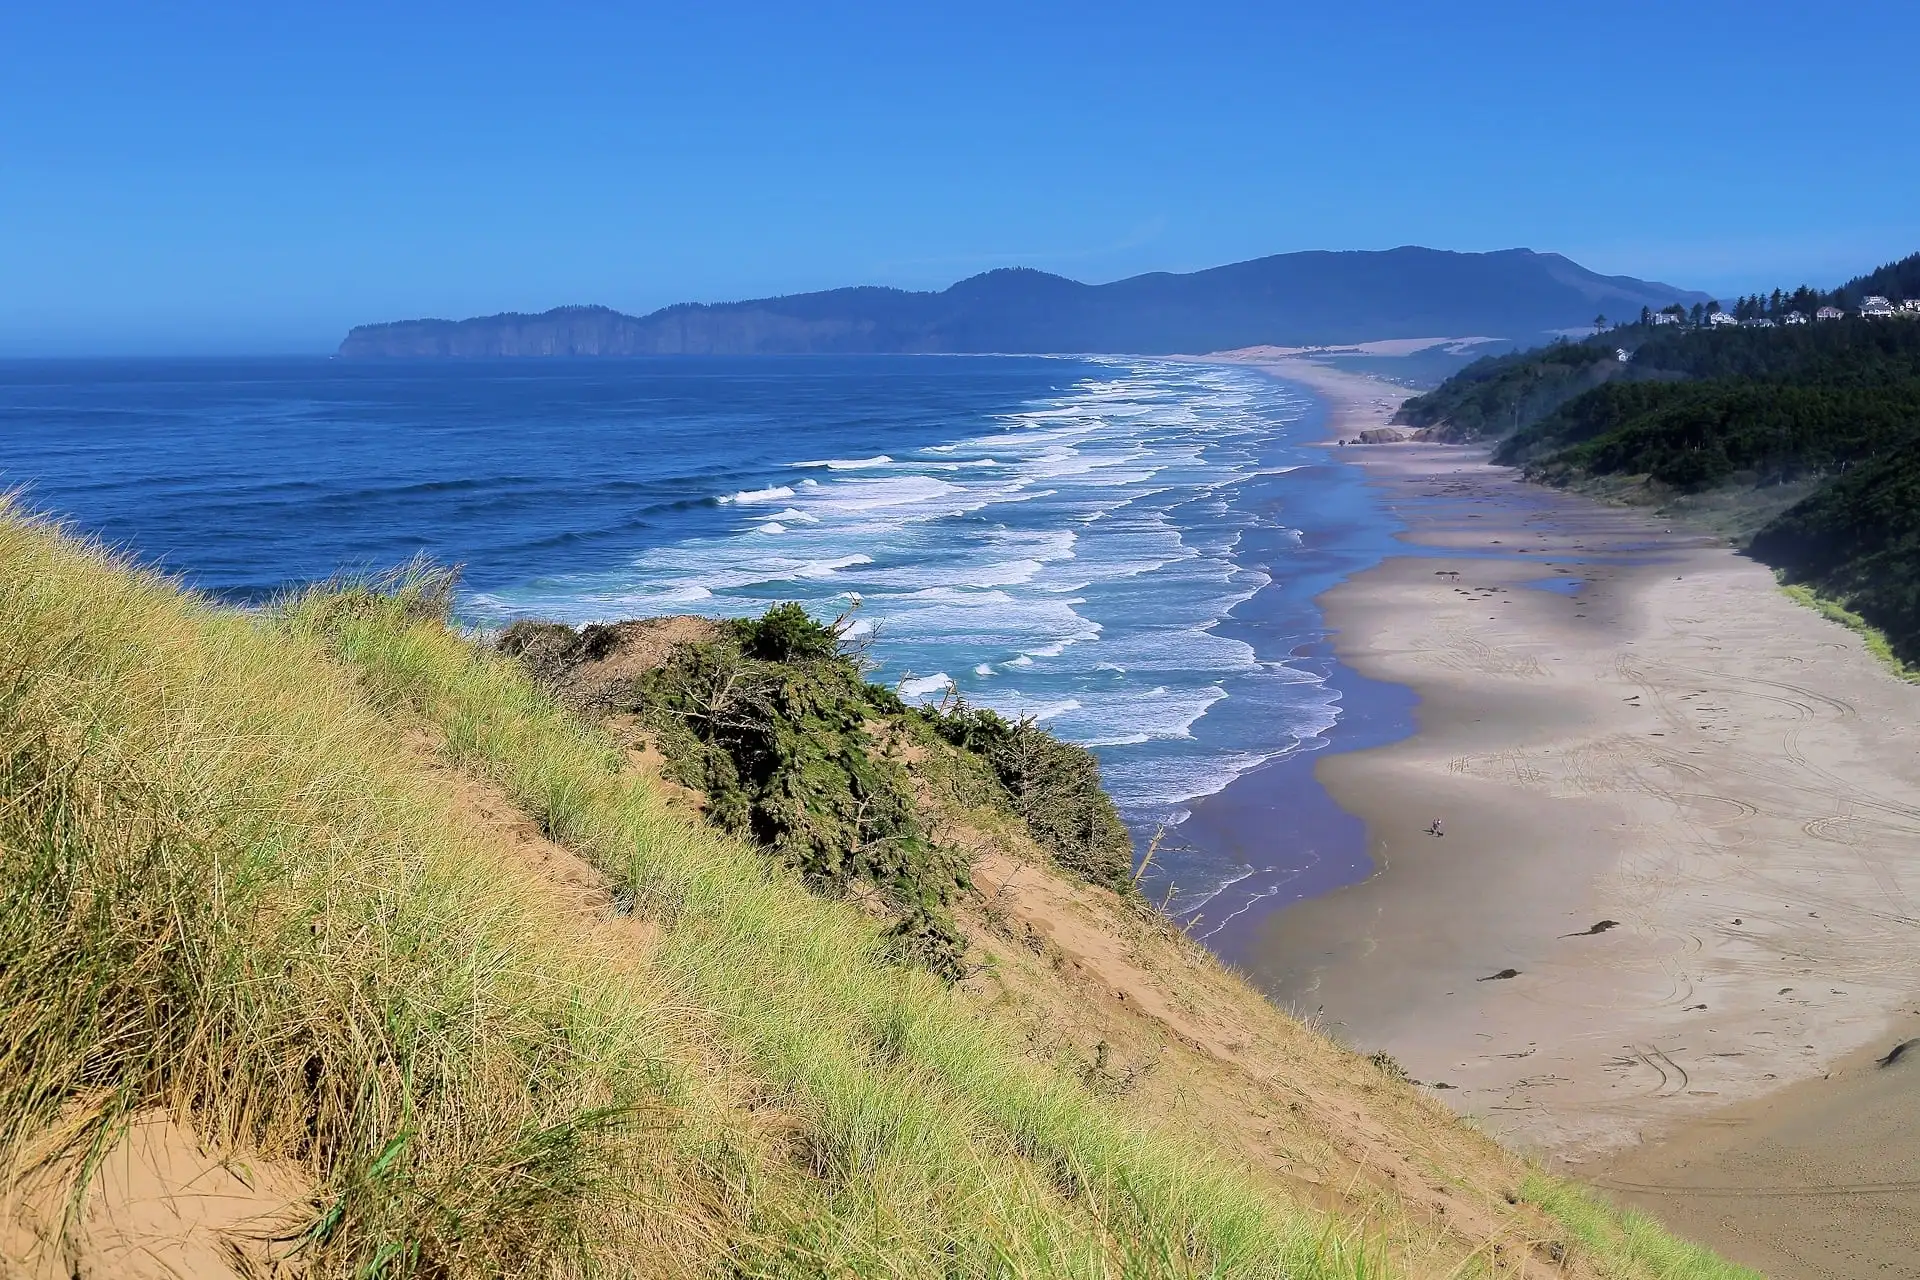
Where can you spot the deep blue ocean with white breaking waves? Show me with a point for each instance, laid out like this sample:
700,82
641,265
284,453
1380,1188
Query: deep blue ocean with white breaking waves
1120,548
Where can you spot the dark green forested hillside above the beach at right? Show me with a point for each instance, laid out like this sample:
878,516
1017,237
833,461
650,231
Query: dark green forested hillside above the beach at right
1808,427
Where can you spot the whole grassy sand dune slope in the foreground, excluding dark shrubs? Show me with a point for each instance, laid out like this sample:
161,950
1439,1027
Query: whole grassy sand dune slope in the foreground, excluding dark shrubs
372,918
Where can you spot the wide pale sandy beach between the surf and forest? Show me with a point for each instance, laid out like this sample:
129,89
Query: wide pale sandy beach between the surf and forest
1673,922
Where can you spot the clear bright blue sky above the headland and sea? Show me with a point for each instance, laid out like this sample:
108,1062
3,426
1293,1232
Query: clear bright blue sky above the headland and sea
258,178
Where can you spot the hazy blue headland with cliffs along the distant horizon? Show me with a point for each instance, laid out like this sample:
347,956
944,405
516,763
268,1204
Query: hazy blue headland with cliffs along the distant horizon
1287,300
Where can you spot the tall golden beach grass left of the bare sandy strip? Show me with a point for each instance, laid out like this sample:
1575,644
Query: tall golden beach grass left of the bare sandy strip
220,899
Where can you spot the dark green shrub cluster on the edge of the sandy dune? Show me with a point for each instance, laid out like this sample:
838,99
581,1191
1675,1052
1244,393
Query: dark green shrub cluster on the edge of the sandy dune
775,723
